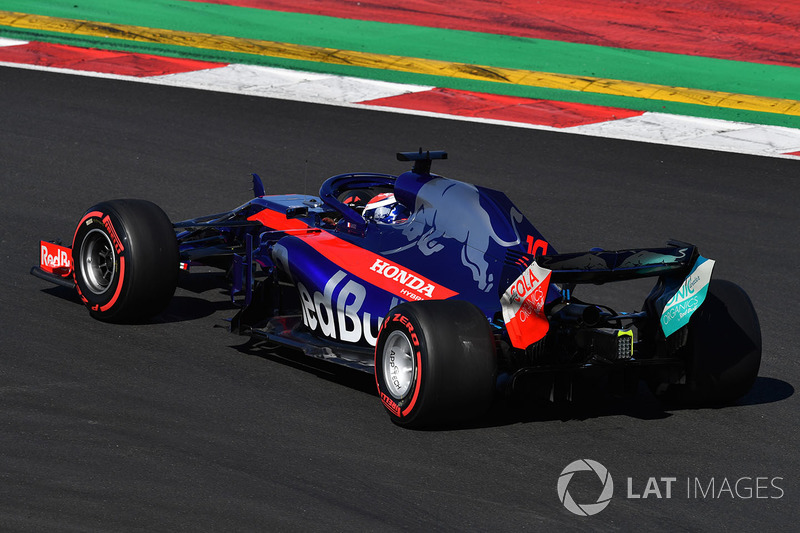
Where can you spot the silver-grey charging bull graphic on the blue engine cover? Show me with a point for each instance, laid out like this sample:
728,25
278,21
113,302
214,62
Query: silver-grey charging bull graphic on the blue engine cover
446,209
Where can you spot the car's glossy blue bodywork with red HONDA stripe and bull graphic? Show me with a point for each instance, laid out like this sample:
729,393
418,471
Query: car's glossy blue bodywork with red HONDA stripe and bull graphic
348,272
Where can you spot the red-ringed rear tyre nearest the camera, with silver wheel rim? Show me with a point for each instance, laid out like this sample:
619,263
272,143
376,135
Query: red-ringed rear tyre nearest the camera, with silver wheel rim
435,363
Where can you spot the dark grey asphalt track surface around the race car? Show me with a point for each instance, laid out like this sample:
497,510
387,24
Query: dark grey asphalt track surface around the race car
179,425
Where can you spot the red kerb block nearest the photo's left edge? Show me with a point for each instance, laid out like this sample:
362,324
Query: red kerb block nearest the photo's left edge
104,61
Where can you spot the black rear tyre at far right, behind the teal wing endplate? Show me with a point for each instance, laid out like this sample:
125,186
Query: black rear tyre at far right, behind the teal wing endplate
723,351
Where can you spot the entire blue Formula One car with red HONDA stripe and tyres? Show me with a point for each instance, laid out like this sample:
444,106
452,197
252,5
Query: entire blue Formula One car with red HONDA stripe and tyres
441,288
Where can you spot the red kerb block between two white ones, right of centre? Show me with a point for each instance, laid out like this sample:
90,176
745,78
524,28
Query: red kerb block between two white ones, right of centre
508,108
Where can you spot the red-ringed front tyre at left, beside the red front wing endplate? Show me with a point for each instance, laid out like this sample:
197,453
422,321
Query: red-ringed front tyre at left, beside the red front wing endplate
125,258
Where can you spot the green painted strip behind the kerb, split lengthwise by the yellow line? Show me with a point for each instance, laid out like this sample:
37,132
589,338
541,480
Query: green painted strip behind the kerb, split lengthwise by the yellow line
444,45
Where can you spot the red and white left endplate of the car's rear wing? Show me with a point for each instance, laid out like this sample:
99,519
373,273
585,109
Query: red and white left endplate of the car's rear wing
523,304
